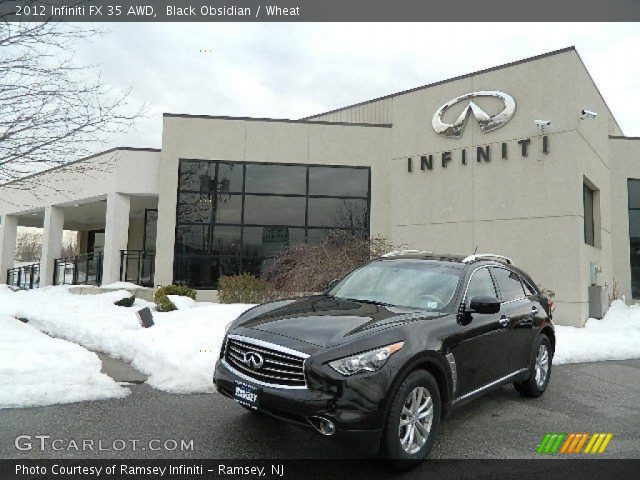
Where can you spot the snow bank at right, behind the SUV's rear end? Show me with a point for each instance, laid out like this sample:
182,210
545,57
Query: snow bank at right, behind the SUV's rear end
615,337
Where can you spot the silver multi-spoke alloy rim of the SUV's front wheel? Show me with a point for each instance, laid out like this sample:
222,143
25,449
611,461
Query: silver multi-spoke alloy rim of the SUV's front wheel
415,420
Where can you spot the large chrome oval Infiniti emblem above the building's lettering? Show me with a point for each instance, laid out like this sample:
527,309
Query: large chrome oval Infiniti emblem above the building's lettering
487,123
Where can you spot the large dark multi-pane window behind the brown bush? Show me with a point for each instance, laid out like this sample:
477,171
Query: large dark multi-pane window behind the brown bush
235,217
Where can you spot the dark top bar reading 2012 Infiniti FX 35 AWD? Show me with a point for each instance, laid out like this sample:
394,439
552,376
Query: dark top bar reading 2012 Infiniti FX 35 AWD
320,11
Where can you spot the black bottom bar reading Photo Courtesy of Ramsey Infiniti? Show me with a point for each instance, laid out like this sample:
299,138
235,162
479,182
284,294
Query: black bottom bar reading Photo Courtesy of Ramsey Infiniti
204,469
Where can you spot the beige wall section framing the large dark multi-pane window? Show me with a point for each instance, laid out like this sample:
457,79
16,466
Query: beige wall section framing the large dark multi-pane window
265,141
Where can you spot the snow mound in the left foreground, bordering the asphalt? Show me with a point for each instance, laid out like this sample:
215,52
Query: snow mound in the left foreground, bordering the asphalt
36,369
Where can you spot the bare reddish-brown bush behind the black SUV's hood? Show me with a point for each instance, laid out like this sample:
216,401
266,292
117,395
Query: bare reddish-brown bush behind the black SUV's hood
309,267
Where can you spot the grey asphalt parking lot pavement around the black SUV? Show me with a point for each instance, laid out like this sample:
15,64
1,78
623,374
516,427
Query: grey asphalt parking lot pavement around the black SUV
591,397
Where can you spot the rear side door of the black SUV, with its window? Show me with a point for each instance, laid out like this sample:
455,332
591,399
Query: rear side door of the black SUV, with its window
517,313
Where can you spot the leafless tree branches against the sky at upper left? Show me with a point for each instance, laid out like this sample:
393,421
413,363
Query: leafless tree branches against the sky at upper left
51,109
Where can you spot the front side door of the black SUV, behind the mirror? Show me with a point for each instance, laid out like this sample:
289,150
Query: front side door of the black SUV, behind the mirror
478,343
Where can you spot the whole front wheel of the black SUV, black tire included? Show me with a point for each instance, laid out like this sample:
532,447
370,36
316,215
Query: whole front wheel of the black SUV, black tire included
415,449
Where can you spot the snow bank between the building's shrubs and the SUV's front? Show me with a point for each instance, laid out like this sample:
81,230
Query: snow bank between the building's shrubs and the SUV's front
178,353
